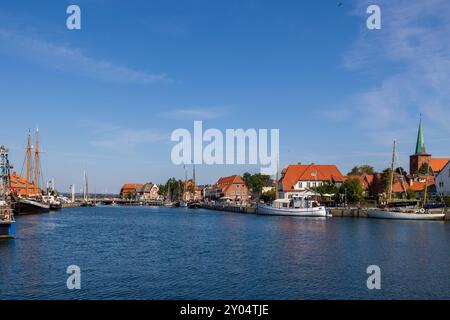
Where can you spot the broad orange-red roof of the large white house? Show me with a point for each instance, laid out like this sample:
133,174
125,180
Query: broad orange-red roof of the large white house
300,172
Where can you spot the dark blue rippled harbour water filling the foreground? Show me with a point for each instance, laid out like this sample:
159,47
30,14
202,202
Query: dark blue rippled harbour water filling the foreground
162,253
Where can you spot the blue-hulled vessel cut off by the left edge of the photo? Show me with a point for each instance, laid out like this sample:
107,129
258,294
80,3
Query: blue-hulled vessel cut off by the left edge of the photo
7,221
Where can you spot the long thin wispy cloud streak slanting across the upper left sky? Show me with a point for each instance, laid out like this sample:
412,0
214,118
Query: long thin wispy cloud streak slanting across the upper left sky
73,60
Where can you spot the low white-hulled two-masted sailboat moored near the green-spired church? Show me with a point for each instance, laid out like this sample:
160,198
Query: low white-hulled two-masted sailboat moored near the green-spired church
405,210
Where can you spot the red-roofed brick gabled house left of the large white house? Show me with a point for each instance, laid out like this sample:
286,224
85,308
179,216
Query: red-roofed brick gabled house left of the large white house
230,188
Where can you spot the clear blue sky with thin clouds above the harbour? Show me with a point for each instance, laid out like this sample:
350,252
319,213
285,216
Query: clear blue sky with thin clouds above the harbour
106,98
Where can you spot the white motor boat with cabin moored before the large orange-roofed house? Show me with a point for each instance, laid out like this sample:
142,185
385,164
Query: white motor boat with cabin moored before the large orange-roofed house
300,207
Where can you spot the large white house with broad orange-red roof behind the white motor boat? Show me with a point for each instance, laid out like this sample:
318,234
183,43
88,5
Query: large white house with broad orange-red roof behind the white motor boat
298,178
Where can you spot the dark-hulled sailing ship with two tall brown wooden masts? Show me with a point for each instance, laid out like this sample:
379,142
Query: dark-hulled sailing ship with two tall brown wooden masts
31,201
